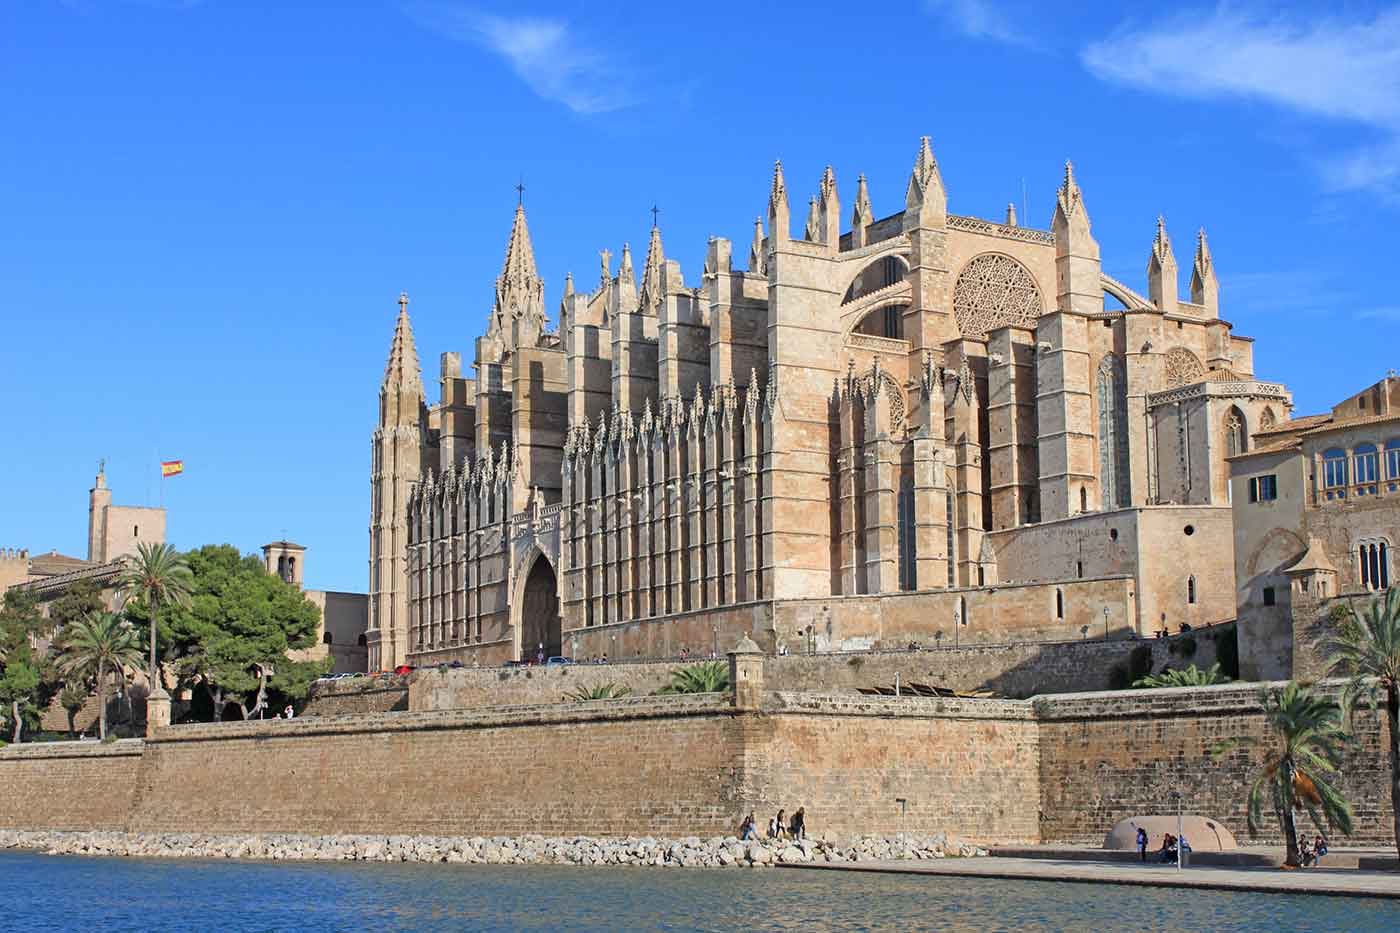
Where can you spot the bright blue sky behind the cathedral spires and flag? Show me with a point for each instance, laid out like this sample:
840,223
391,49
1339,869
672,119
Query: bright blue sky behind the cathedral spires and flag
212,207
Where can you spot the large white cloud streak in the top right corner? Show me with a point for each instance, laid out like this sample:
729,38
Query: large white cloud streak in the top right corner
1335,68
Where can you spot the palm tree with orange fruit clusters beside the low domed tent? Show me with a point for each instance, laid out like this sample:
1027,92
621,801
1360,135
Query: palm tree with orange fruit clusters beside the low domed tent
1297,768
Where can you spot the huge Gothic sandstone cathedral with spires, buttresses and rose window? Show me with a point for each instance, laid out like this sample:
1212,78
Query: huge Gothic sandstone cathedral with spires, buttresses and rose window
918,428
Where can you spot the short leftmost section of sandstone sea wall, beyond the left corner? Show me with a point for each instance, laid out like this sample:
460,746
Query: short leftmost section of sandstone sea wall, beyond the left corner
69,785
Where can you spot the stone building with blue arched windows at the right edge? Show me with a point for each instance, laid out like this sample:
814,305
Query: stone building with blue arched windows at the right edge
1317,516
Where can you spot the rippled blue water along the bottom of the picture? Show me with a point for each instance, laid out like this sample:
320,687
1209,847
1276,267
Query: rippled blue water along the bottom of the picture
41,893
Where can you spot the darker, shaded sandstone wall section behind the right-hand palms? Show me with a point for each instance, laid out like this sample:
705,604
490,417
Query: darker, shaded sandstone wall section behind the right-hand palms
1105,757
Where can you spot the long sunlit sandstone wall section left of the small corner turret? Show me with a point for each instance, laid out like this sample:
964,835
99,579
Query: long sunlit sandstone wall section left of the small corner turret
656,767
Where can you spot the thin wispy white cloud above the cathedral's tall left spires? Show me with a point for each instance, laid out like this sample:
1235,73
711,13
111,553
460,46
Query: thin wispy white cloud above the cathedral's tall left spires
554,60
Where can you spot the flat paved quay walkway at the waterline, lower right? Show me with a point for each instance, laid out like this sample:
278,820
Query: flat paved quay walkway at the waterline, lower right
1338,882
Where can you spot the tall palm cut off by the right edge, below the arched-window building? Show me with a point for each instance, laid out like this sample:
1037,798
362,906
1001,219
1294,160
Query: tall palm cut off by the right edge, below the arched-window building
1366,649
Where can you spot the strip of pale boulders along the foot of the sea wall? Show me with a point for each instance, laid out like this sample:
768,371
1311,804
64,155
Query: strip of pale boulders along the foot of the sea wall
692,852
